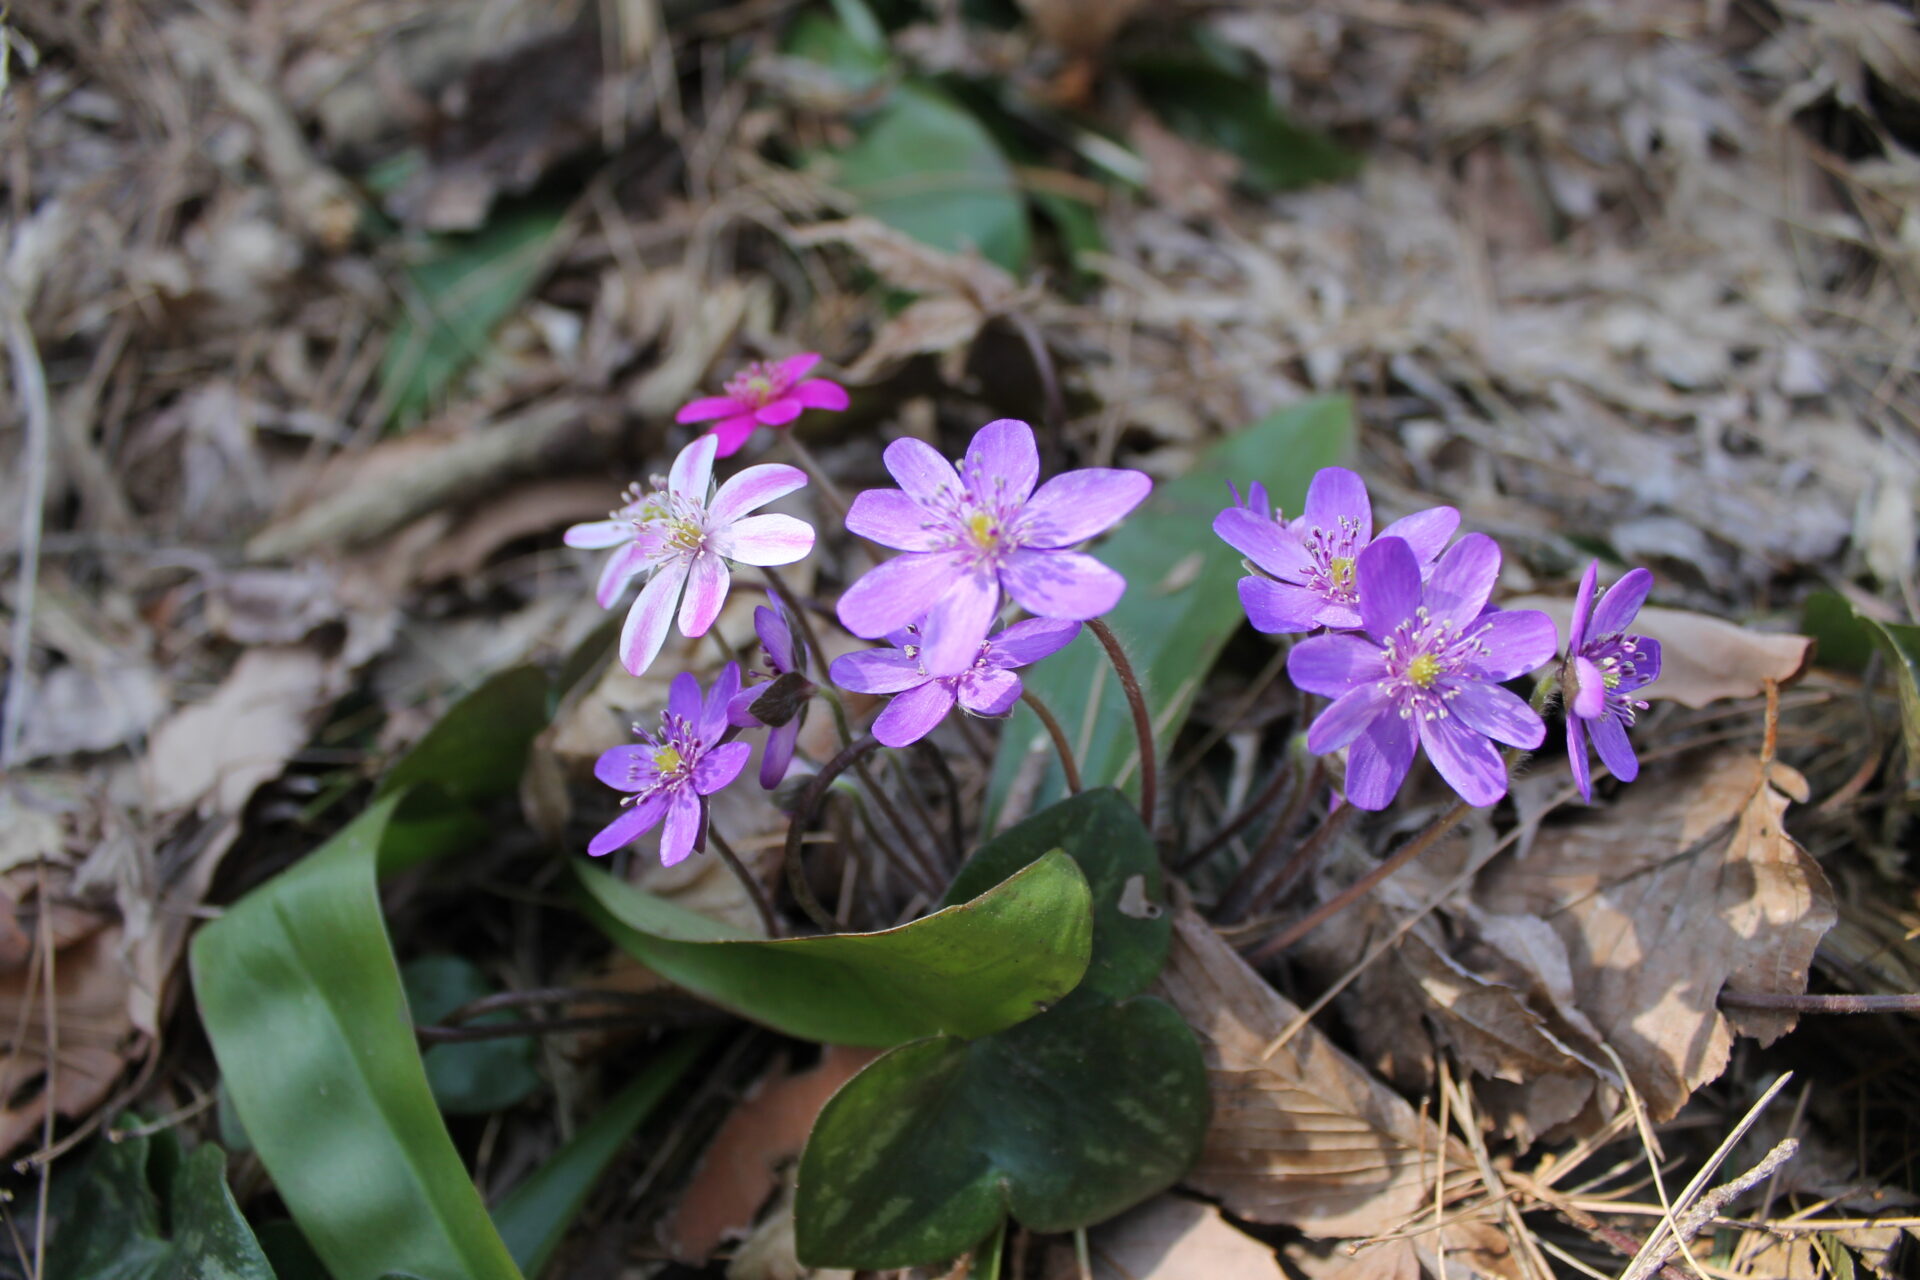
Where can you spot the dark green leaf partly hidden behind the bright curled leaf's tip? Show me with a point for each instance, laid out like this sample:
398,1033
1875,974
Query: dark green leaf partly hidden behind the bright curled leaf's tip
1103,834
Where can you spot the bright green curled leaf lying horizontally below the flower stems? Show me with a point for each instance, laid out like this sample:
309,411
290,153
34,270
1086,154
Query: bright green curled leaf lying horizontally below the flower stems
967,970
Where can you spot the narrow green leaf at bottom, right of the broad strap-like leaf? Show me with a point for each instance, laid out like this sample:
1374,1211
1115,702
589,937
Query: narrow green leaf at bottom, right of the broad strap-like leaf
535,1218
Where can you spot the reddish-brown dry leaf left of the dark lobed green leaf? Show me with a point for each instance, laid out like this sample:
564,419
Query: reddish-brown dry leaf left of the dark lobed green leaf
742,1164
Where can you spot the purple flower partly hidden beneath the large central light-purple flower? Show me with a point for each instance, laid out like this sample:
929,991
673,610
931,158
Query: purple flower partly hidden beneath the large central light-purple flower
923,699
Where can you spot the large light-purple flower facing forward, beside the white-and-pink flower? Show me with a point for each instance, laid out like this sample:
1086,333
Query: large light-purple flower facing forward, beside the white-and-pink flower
972,534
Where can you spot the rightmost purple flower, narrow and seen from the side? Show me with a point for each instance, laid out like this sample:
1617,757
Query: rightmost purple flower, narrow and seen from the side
1602,673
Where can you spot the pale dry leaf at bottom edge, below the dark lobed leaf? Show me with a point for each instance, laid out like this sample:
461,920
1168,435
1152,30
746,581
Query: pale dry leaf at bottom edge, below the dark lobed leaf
1170,1239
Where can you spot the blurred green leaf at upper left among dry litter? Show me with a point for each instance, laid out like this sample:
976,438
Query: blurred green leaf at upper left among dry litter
456,298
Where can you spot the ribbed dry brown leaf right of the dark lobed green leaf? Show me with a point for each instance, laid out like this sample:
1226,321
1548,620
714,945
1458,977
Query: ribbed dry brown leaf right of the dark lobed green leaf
1301,1137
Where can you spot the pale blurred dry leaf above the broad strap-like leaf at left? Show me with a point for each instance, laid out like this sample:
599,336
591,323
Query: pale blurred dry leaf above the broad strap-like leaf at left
216,753
